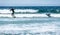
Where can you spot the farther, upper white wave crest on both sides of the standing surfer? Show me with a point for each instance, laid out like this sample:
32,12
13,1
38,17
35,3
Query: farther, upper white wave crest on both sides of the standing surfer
18,10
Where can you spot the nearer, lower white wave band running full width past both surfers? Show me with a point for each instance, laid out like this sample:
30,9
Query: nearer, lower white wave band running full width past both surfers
29,15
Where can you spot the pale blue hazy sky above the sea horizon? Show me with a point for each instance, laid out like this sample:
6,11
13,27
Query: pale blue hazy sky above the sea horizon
29,2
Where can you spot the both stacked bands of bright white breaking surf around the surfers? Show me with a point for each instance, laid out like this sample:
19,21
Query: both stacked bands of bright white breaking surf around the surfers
7,13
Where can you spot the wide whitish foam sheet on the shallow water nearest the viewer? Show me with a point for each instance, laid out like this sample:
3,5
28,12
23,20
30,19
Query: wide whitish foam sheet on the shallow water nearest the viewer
32,28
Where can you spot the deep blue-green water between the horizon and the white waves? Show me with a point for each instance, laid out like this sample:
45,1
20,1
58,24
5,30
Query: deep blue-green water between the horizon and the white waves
41,9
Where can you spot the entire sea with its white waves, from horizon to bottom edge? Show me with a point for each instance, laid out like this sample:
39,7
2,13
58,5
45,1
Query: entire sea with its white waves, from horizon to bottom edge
28,24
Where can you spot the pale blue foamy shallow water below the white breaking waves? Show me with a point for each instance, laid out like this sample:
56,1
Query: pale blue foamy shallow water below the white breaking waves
30,26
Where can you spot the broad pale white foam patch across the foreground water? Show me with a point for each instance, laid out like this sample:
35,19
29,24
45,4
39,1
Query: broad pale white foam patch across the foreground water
30,28
